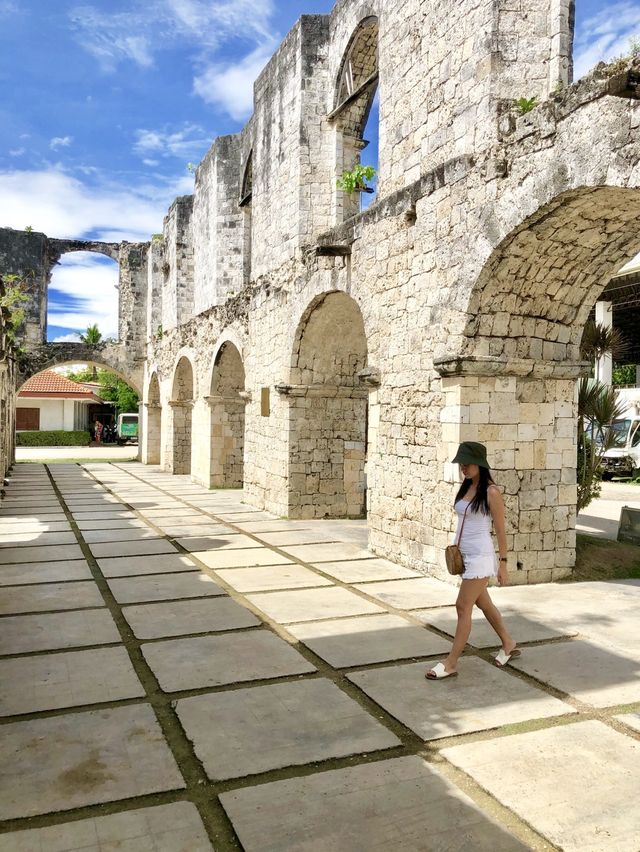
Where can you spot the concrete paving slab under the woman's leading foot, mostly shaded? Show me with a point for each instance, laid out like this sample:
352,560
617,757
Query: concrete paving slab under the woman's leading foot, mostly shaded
482,697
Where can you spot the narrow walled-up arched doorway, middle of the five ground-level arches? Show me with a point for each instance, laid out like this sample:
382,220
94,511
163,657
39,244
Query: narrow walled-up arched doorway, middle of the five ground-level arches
227,403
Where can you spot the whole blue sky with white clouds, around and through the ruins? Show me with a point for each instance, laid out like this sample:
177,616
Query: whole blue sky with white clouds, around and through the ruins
105,102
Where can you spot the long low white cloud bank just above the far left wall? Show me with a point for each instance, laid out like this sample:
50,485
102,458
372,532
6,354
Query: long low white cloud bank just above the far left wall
62,205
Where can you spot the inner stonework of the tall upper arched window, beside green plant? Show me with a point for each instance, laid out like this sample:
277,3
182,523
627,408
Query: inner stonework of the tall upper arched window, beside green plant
355,92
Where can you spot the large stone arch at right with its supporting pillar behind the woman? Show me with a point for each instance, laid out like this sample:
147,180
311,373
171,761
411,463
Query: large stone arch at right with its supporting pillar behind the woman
512,383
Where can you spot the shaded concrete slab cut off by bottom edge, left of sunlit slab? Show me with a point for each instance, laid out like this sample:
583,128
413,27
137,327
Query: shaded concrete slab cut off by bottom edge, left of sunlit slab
401,804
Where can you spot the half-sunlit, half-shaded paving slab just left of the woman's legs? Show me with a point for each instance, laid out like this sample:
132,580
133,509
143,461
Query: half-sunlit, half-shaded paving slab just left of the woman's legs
368,639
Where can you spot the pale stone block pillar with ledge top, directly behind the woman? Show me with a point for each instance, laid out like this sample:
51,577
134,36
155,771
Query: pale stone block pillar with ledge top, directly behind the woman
528,423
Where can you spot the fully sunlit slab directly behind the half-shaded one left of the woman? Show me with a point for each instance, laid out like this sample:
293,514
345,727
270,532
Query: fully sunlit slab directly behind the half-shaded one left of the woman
312,604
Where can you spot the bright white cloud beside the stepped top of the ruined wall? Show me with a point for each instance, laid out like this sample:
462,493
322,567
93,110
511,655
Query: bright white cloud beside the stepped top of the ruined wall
231,86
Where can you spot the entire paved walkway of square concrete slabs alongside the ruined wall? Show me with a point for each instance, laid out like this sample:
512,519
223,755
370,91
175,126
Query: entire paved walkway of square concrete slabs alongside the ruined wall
180,672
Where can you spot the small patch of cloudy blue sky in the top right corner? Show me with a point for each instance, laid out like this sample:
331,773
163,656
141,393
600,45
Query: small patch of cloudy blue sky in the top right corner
605,35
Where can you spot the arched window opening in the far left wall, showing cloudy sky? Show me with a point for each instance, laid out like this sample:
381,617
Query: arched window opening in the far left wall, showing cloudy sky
83,293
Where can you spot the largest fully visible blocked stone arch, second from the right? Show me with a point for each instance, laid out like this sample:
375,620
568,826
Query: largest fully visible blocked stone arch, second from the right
328,410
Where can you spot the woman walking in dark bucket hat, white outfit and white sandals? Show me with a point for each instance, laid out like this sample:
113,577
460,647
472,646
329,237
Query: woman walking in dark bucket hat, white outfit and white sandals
478,503
